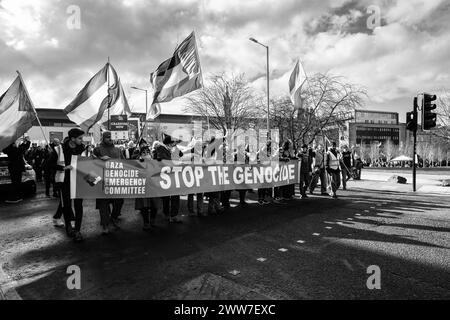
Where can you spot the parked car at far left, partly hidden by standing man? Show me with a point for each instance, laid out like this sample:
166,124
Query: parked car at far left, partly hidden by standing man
28,186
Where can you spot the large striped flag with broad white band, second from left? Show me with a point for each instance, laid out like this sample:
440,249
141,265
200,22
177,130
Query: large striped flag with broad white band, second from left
91,103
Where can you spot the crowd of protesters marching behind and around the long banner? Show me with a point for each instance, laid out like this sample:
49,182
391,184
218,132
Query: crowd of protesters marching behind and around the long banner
52,164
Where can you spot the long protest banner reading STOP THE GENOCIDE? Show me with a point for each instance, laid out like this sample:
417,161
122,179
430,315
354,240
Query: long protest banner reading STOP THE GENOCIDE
97,179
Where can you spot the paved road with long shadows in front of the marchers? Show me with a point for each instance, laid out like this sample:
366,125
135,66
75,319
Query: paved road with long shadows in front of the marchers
317,248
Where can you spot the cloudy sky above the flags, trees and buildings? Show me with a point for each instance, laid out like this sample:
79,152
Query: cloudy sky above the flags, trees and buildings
407,52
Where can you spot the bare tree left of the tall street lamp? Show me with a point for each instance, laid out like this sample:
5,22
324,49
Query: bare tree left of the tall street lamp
227,103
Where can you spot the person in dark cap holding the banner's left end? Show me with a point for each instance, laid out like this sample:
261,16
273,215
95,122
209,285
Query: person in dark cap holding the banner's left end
72,146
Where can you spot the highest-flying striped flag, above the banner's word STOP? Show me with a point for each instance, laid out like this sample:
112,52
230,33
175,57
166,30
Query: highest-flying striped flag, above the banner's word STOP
177,76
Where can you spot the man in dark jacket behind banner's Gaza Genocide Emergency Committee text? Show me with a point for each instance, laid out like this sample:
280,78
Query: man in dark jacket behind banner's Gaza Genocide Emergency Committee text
105,152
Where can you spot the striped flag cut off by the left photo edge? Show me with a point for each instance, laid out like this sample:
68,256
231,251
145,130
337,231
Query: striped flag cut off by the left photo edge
16,113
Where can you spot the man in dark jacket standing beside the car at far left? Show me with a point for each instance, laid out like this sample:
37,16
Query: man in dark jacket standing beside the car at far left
16,165
